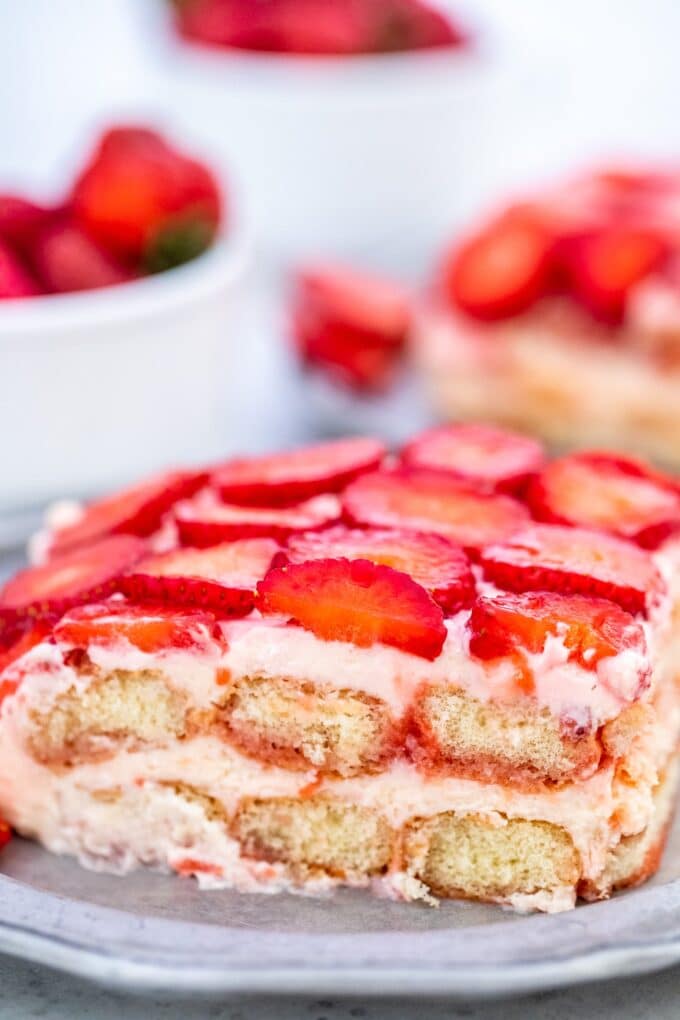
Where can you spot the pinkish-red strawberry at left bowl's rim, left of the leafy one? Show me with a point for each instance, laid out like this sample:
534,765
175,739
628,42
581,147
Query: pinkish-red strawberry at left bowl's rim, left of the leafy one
67,260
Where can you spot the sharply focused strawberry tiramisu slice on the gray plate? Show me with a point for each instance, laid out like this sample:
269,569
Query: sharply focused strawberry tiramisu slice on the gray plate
449,672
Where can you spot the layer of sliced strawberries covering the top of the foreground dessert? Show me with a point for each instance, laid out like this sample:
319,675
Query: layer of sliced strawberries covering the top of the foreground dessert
582,569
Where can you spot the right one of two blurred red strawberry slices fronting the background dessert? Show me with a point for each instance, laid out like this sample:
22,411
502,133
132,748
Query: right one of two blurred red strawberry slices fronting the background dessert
603,267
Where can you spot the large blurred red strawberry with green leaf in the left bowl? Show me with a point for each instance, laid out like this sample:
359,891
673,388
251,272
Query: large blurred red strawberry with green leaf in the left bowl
148,205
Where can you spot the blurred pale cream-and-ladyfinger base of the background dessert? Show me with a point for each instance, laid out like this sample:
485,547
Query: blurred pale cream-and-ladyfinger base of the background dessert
620,398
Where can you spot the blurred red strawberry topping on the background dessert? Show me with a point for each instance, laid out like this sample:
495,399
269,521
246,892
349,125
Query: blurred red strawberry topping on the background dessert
594,241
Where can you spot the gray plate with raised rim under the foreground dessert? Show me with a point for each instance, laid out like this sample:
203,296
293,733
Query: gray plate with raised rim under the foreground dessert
160,934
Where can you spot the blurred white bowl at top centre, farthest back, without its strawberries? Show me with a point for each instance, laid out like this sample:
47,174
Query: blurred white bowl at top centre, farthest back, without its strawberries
341,157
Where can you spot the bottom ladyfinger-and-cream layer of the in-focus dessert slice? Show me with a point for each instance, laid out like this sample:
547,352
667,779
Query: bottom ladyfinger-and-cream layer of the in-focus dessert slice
201,808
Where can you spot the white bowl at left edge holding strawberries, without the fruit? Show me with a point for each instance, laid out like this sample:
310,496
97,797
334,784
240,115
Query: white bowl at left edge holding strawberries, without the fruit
99,388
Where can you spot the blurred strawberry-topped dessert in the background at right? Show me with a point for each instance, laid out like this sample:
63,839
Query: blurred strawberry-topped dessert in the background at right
560,315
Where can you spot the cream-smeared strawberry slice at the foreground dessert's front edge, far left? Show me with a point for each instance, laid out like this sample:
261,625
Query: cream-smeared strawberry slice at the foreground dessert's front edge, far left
150,630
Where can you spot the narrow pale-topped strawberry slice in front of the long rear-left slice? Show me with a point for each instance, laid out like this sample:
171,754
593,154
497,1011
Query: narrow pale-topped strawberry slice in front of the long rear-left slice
203,524
